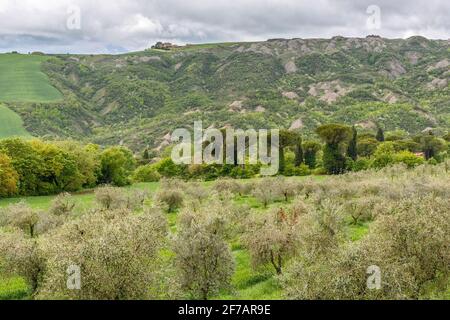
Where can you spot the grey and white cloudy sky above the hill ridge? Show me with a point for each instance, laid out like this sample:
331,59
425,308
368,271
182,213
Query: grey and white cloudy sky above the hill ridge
112,26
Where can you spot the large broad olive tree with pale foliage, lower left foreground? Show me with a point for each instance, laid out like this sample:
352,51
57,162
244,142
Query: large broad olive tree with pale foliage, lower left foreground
115,250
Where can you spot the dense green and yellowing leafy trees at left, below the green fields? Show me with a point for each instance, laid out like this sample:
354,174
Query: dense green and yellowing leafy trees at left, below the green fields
36,167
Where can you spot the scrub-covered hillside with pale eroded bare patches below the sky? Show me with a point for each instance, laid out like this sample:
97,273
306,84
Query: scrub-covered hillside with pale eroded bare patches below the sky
138,98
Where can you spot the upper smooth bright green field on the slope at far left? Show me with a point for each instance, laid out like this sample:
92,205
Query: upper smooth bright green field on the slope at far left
21,79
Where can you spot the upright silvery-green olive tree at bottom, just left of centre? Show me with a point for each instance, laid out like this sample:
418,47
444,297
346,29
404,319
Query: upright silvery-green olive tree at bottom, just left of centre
202,256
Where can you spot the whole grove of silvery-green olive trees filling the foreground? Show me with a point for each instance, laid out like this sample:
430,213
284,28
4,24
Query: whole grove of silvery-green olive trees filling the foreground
125,249
